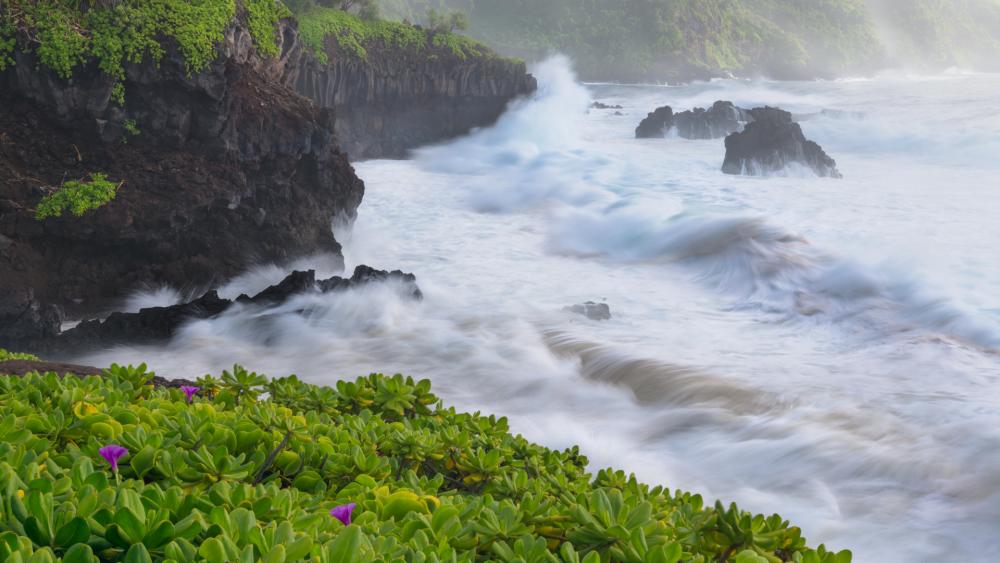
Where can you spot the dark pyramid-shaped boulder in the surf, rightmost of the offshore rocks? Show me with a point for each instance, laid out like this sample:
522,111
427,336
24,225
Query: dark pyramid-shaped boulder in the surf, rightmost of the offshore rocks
770,143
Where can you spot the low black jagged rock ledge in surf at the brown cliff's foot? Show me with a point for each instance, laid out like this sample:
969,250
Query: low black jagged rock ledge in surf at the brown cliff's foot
158,324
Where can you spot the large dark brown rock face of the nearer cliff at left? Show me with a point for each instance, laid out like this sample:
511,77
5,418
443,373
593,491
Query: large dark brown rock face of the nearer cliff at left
229,168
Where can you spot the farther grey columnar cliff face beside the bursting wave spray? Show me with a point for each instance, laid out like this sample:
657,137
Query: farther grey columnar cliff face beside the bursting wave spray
394,100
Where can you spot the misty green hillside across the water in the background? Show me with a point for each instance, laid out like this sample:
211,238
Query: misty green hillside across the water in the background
661,39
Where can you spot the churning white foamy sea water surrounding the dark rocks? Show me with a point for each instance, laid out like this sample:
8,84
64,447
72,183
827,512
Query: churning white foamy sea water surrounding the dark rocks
826,349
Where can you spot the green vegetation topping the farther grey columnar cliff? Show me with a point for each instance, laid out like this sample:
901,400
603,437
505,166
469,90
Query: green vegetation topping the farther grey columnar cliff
356,36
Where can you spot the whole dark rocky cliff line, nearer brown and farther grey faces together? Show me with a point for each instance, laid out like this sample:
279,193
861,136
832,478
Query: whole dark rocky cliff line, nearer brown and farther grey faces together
217,170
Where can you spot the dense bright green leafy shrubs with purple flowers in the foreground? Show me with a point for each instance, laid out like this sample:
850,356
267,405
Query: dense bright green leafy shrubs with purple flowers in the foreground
240,468
